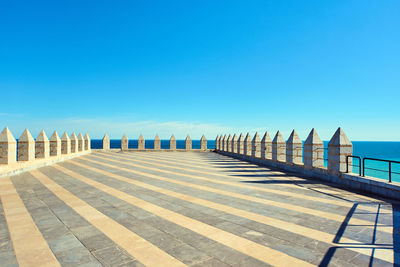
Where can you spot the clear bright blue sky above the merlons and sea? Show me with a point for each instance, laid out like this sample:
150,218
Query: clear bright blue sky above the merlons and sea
201,66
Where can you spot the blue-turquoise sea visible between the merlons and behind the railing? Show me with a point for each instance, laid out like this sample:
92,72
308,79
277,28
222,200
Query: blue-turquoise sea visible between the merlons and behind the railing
363,149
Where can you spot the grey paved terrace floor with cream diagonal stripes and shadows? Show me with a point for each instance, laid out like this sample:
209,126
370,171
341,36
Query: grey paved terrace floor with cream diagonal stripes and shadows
187,208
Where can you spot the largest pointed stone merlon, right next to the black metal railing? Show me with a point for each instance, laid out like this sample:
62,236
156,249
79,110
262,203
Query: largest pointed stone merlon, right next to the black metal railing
338,148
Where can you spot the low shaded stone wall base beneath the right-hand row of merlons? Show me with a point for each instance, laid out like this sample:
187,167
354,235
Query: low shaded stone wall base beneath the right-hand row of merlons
369,185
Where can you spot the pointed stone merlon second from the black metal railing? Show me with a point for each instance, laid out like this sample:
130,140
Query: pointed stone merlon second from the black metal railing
313,151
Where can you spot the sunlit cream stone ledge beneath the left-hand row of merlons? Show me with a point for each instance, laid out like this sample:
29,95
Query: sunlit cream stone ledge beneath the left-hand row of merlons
23,166
